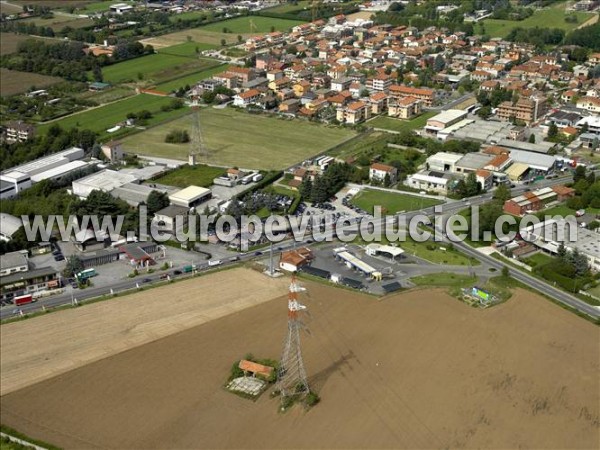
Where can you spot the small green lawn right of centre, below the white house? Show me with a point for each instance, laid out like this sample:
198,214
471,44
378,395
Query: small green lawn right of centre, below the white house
391,202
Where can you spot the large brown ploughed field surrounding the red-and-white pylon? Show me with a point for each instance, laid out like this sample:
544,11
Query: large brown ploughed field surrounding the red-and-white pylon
416,370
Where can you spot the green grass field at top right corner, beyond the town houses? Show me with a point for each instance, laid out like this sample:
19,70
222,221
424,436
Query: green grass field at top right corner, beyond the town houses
552,17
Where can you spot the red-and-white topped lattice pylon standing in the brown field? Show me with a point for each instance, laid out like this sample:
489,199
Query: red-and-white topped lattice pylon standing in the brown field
291,380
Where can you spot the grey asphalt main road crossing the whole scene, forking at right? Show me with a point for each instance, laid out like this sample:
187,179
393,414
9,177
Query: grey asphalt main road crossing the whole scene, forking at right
446,209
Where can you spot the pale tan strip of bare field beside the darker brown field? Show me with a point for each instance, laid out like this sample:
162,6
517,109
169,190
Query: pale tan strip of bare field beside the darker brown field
42,347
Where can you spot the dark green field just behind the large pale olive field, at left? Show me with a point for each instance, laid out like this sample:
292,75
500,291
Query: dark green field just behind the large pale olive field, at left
105,117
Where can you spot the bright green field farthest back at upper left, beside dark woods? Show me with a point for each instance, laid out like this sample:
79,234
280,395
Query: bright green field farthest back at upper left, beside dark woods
155,68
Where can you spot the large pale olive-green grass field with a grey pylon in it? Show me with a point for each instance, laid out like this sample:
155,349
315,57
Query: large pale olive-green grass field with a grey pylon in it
237,138
